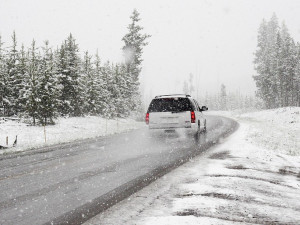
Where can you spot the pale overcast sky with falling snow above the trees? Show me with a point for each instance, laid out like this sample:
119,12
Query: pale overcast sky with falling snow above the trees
213,40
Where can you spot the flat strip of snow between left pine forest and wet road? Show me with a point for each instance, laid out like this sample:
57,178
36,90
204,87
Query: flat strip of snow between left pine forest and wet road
65,130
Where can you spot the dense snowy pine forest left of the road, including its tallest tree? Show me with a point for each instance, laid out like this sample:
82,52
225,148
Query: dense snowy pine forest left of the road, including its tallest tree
42,83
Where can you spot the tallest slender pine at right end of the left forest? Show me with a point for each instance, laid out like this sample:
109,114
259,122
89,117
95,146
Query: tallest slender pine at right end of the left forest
134,41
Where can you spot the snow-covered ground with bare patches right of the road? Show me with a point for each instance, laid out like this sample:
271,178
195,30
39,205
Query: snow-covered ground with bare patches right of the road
252,177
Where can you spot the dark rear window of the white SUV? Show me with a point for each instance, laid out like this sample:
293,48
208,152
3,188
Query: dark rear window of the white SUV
170,105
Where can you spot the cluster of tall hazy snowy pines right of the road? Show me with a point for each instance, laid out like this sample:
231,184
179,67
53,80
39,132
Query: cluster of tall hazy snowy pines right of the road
277,62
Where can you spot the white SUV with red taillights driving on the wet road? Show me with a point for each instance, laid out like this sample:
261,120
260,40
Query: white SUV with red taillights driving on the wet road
170,112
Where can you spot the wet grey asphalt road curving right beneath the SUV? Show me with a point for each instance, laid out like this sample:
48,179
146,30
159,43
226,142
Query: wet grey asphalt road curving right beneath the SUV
70,183
